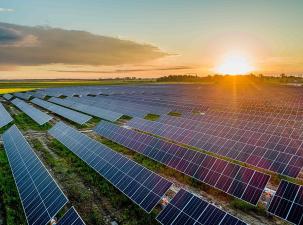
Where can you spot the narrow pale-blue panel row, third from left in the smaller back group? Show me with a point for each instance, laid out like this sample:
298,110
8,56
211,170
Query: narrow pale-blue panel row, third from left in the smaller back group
69,114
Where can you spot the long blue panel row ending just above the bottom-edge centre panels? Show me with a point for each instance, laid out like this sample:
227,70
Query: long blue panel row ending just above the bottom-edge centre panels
141,185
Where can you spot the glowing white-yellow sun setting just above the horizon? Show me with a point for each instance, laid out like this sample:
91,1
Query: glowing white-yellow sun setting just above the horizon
234,64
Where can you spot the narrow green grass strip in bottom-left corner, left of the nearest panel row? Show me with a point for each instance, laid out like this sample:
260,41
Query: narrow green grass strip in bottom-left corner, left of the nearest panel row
12,205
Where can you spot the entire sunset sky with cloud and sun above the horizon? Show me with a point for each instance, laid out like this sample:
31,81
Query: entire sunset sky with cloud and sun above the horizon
102,39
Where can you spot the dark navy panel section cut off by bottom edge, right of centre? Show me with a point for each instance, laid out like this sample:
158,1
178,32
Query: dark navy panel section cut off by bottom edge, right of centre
188,209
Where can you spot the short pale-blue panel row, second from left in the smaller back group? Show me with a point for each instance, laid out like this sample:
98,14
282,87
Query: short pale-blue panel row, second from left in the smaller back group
37,115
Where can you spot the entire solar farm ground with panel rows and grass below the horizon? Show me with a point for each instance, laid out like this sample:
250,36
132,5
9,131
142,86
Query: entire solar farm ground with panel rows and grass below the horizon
203,154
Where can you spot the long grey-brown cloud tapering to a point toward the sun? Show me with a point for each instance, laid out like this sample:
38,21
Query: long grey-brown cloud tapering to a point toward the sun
31,46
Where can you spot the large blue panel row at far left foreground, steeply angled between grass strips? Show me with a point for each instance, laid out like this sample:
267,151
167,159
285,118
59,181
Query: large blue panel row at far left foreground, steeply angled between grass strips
40,195
